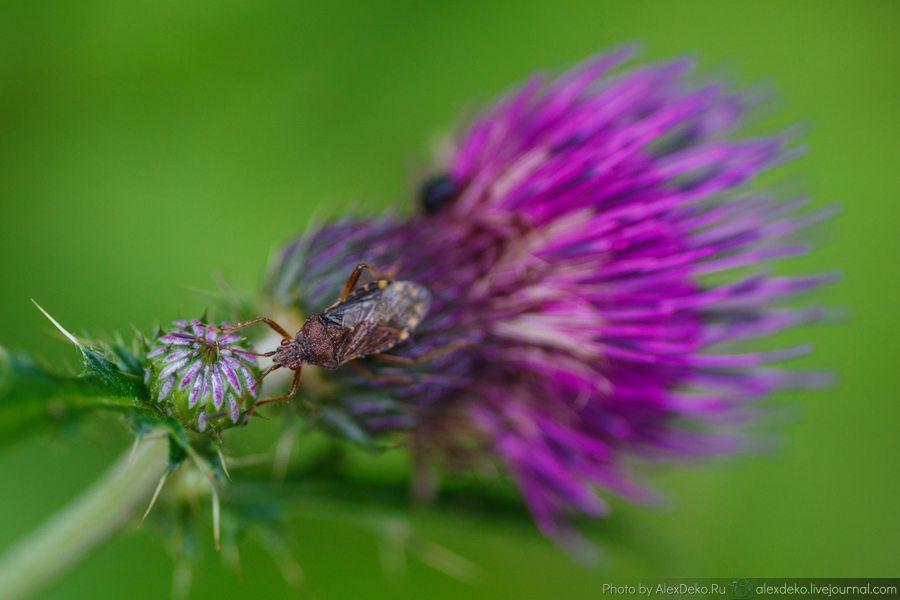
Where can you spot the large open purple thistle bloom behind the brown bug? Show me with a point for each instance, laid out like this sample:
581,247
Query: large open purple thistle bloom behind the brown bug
592,245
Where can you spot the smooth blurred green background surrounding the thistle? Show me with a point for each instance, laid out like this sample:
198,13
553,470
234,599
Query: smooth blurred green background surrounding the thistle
137,137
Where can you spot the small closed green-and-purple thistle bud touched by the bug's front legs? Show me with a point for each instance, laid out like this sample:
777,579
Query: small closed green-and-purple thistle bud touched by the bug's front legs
199,383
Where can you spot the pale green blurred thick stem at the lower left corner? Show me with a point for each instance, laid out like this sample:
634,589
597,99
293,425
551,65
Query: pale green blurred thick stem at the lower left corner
68,536
